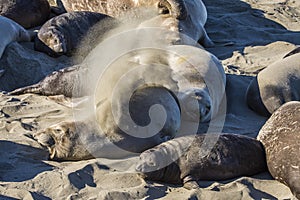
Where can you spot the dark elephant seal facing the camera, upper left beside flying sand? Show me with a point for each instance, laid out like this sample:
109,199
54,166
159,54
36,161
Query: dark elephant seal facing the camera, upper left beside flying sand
63,34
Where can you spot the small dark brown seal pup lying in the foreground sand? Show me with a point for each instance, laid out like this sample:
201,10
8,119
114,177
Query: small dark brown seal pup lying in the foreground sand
202,157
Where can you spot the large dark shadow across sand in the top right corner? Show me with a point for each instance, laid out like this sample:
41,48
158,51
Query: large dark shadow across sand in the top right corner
237,22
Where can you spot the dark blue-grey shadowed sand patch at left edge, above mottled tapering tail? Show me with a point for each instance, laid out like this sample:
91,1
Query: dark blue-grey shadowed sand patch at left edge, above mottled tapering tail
22,66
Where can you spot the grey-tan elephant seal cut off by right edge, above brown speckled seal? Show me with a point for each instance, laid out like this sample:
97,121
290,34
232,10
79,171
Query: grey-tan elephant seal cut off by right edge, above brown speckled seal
275,85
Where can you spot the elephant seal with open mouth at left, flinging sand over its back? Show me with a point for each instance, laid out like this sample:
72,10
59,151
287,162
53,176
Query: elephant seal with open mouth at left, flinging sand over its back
83,140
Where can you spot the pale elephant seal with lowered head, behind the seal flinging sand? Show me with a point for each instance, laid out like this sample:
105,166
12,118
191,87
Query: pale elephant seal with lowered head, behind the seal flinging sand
196,78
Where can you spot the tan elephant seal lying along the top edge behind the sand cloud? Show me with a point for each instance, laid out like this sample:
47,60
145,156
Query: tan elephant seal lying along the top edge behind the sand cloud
187,17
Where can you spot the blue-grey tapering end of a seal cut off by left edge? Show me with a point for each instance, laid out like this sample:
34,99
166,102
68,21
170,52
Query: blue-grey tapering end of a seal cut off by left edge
10,31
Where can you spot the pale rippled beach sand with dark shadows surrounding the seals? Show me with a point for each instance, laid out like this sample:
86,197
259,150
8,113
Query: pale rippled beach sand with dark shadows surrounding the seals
261,31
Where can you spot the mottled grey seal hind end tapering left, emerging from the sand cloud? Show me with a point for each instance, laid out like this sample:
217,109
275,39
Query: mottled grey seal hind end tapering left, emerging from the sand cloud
65,81
